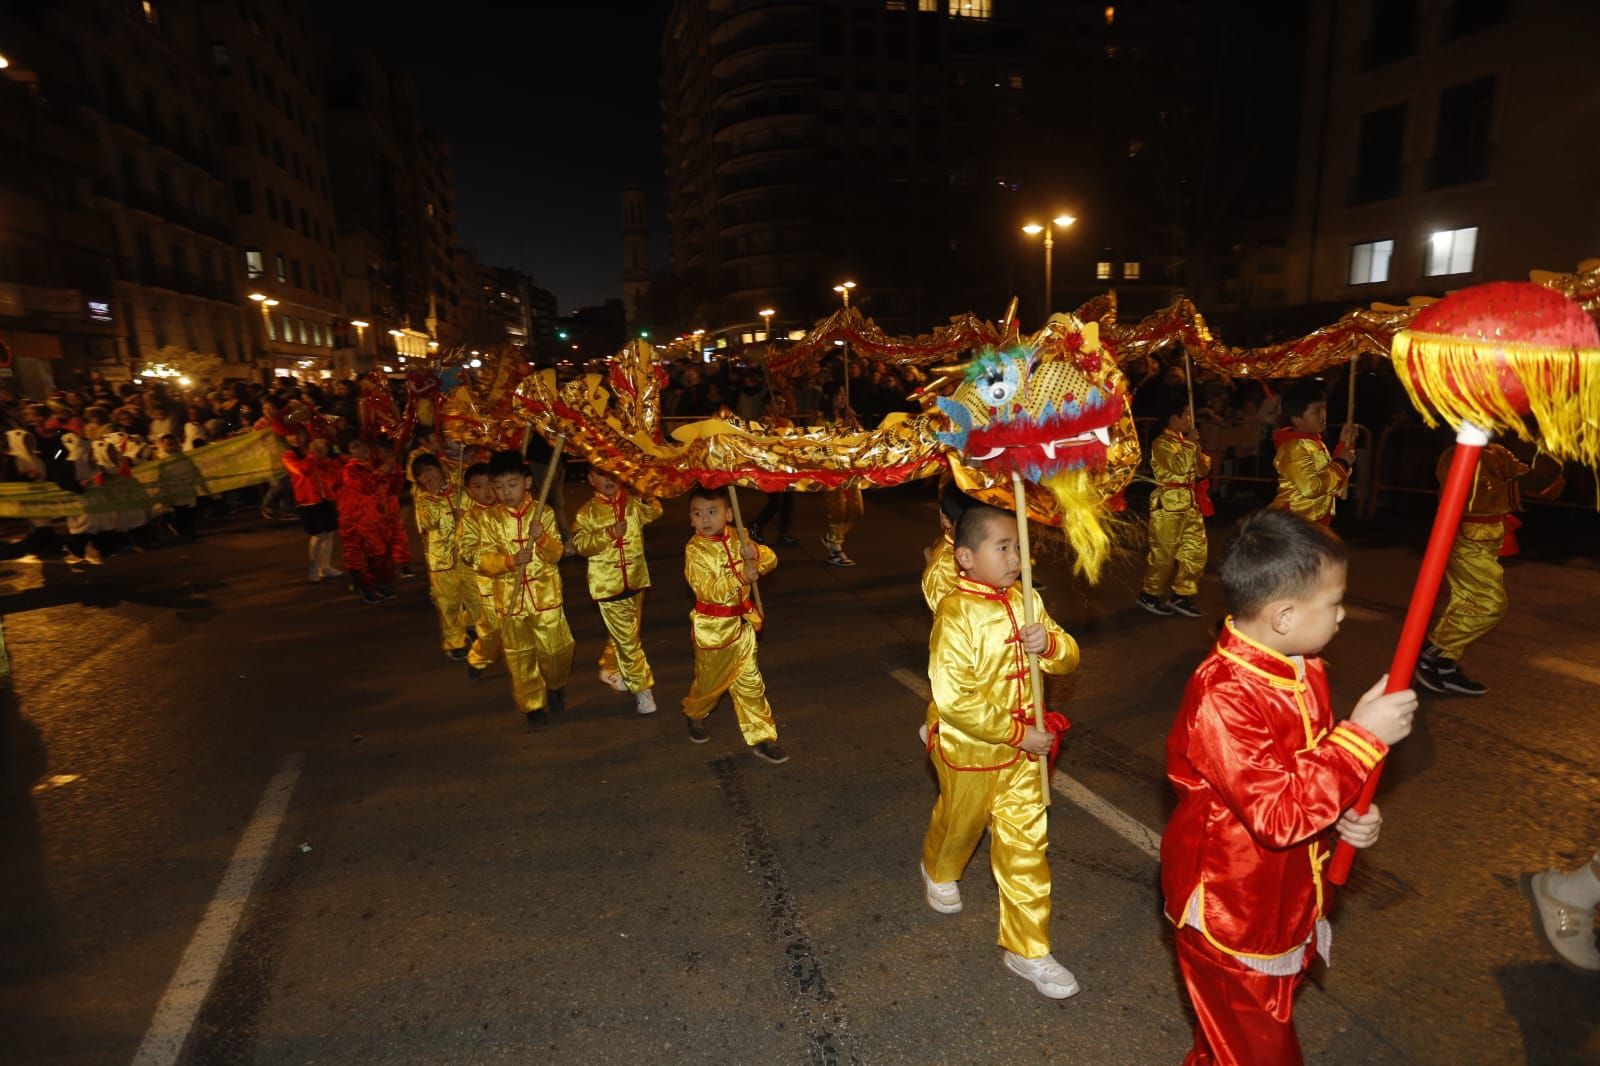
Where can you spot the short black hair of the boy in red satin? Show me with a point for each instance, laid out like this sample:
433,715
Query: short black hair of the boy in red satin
1273,556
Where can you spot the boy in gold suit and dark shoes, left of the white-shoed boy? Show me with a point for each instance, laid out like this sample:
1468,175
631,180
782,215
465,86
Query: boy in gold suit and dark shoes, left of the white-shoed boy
518,545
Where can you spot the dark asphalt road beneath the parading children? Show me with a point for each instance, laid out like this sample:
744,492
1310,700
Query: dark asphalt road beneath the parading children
447,888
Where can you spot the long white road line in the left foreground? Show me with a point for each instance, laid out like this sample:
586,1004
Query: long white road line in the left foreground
180,1004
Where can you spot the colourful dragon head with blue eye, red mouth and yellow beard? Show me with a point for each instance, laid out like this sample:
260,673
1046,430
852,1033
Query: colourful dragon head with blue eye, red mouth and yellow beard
1052,407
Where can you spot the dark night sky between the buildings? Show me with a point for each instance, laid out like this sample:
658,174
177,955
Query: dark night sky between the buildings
551,110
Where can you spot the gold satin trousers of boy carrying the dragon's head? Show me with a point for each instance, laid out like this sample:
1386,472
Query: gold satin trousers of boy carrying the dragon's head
1012,806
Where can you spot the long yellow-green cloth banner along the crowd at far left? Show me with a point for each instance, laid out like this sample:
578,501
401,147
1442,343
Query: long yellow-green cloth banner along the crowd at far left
210,470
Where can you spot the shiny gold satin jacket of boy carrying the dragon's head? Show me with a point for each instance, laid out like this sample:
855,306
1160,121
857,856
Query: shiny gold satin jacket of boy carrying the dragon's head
980,678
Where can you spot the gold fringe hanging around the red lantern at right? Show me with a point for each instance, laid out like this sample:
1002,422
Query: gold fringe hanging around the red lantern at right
1460,382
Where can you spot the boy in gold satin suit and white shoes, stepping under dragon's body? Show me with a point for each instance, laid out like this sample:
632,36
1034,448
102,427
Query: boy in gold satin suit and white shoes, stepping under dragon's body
610,534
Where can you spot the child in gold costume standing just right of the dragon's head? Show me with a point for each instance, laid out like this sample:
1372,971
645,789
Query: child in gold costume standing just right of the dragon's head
1178,508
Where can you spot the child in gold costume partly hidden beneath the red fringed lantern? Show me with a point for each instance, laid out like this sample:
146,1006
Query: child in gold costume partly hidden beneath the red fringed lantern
1478,583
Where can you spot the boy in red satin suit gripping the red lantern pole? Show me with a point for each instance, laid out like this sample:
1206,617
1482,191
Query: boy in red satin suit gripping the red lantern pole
1262,775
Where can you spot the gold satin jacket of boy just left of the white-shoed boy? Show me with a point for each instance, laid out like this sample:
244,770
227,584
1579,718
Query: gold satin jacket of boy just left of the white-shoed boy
490,540
